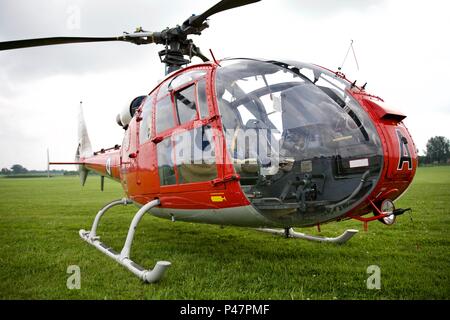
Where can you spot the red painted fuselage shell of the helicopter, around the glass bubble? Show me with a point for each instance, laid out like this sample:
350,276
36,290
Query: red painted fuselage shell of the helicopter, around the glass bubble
136,164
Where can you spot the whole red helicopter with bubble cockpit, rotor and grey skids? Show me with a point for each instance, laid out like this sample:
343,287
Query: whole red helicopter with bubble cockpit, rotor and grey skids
248,142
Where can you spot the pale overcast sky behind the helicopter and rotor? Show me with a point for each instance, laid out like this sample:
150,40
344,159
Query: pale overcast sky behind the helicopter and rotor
402,46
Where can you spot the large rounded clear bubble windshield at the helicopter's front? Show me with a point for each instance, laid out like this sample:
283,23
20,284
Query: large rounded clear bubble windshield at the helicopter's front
295,136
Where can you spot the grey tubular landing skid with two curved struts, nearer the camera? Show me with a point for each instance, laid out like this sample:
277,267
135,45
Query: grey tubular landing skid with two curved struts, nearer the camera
124,256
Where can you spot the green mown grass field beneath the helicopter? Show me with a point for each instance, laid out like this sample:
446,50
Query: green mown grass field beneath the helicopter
40,219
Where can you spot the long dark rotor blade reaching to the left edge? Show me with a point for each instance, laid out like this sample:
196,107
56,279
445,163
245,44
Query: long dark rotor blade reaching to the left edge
137,38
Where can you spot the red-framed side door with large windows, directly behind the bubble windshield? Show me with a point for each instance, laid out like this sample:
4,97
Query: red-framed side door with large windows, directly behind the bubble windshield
188,154
